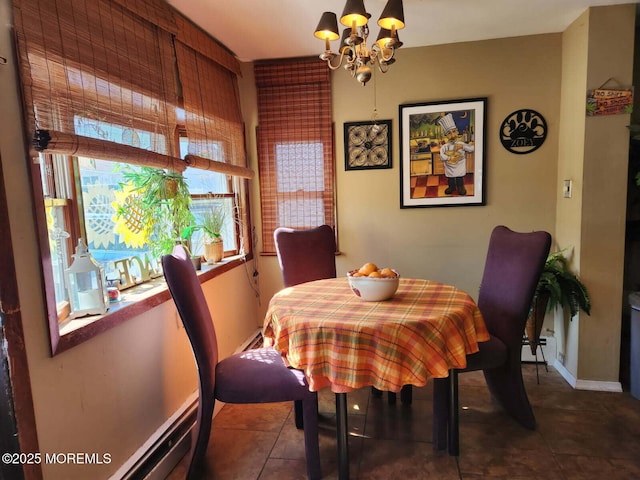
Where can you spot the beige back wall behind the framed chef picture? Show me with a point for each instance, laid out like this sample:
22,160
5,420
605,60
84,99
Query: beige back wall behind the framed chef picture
444,244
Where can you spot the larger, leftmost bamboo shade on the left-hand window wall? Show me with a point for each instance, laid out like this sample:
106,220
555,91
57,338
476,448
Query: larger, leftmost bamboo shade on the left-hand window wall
97,70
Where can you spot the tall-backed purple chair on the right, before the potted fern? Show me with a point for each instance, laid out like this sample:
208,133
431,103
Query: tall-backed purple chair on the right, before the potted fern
513,266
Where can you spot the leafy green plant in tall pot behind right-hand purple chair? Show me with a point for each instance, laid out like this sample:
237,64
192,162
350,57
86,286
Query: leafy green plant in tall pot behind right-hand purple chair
558,286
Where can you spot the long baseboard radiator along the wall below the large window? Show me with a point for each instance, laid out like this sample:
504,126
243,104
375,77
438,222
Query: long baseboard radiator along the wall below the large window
157,458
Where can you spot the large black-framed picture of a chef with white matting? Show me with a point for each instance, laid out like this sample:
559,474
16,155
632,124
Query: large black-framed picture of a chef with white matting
442,153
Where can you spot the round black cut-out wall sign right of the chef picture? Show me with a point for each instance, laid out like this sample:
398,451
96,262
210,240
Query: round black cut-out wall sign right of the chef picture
523,131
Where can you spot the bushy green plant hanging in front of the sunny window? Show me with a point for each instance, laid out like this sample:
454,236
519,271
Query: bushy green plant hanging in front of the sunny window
158,205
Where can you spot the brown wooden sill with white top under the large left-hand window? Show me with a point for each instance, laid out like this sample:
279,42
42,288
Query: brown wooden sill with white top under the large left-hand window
134,302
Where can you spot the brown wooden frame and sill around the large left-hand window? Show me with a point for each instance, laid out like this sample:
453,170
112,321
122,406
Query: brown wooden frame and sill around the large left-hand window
79,330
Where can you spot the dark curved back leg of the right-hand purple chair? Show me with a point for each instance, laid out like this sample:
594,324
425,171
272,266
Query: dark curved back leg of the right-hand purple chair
506,385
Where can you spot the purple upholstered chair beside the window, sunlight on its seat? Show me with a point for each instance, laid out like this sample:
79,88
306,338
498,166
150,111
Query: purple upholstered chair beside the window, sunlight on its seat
254,376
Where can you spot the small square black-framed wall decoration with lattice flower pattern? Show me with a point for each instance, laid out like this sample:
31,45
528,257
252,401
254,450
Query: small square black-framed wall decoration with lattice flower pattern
367,145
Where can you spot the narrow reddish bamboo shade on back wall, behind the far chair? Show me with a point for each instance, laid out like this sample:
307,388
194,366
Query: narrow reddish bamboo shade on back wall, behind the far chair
295,146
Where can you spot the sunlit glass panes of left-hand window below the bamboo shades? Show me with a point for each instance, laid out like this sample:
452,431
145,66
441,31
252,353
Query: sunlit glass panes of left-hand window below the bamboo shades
91,214
